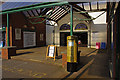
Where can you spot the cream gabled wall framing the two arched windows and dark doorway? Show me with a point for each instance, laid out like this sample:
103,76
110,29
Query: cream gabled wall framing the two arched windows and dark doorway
66,20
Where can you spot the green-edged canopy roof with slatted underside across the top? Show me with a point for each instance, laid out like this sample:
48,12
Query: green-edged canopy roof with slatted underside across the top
59,9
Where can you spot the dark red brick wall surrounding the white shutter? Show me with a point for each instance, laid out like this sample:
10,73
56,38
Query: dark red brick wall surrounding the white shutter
18,20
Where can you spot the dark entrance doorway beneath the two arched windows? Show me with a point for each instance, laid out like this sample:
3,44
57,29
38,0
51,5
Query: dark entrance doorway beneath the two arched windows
82,36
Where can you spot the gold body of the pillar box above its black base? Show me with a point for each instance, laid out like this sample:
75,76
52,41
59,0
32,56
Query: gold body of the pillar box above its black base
72,49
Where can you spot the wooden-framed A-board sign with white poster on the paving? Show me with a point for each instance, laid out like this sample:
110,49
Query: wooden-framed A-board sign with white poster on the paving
51,51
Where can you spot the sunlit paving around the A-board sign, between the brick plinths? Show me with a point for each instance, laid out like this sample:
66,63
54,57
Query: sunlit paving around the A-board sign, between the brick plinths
39,55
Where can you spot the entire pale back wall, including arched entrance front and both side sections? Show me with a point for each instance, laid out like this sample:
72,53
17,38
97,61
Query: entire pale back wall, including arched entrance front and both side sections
97,29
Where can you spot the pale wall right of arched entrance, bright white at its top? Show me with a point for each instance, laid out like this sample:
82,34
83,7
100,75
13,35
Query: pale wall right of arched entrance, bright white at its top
98,29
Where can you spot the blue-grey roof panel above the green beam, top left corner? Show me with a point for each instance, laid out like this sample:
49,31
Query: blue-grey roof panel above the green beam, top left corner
11,5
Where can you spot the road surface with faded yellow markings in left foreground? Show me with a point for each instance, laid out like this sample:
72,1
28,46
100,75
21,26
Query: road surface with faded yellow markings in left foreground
29,69
